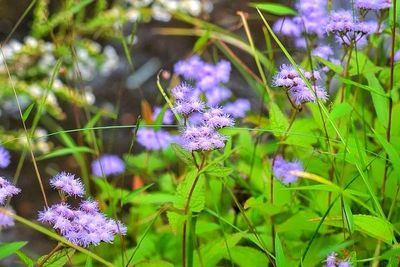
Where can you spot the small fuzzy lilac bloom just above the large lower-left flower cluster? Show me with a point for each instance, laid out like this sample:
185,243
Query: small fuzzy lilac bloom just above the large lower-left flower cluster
67,183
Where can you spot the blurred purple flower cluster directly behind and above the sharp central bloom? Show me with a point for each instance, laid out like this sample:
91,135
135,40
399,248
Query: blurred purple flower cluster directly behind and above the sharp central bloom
209,79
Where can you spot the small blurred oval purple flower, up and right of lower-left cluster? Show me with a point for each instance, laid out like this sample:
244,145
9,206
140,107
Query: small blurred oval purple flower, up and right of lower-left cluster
107,165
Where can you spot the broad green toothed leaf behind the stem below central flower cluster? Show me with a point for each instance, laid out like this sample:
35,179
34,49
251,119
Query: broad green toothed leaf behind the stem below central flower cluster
197,200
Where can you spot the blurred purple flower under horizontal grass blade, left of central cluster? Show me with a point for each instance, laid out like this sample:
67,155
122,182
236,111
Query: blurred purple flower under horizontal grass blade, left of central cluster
154,140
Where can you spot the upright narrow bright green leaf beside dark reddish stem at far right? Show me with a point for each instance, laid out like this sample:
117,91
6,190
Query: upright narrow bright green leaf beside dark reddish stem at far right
381,103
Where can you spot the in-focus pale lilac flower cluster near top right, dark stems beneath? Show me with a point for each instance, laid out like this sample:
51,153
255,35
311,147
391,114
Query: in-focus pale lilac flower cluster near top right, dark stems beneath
347,28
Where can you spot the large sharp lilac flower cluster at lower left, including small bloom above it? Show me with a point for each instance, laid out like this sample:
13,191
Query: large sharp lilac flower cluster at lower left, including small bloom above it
84,225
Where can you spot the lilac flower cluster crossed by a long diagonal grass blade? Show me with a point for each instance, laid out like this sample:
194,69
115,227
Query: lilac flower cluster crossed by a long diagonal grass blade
297,89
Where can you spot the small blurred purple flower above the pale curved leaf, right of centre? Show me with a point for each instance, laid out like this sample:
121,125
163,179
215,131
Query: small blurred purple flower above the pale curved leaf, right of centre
282,170
